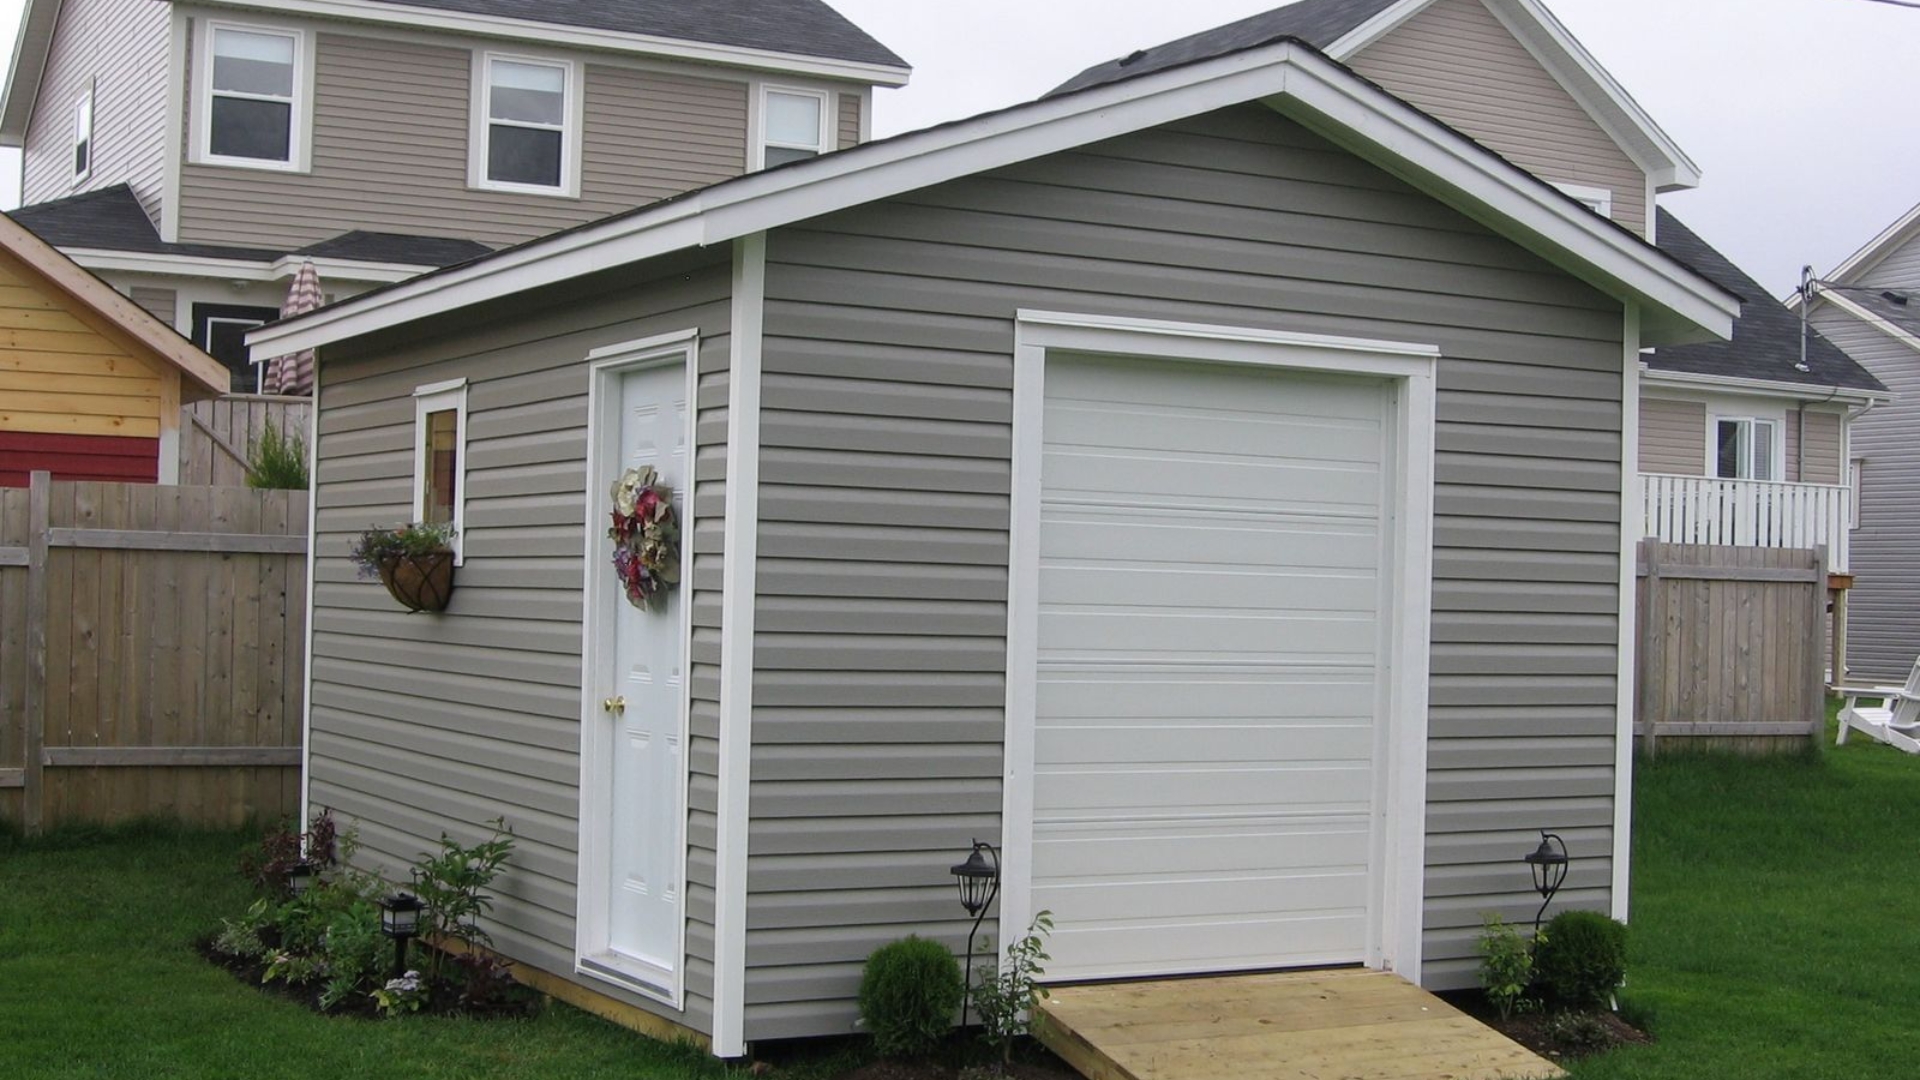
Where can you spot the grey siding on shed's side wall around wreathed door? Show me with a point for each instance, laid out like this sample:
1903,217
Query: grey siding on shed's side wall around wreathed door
425,725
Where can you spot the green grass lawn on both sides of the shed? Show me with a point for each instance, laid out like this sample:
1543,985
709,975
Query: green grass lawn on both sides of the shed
1775,937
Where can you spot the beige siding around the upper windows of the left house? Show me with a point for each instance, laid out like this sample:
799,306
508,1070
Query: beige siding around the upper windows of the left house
648,135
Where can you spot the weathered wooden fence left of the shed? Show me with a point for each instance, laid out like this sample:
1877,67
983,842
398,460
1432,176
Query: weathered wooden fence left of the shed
153,647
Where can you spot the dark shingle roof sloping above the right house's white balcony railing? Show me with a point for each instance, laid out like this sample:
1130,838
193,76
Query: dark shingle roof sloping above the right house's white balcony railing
1767,337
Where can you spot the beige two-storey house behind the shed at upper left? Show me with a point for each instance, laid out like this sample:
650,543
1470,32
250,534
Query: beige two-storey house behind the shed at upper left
195,155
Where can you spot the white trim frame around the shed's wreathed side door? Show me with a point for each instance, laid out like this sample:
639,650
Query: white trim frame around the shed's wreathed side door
606,366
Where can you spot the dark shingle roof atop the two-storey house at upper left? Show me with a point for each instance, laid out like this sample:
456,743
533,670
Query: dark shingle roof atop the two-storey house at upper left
804,28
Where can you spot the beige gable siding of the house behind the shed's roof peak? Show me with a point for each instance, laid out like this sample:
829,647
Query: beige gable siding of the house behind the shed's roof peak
1460,64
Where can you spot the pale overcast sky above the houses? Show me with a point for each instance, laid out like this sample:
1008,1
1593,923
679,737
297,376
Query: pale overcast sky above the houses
1802,114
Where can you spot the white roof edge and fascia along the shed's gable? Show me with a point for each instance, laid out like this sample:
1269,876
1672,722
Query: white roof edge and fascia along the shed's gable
1295,80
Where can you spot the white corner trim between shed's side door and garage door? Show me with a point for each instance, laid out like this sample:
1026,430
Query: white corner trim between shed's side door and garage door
736,645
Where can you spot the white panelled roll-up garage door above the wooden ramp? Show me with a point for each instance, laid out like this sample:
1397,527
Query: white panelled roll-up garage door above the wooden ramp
1209,666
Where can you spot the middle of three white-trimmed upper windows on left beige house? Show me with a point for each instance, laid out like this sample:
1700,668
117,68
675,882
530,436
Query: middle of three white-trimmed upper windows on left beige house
527,126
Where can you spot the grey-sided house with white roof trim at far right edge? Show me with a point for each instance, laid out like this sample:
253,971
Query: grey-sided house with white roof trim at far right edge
1871,308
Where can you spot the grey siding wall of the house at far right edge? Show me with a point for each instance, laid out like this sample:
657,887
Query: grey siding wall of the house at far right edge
1884,608
